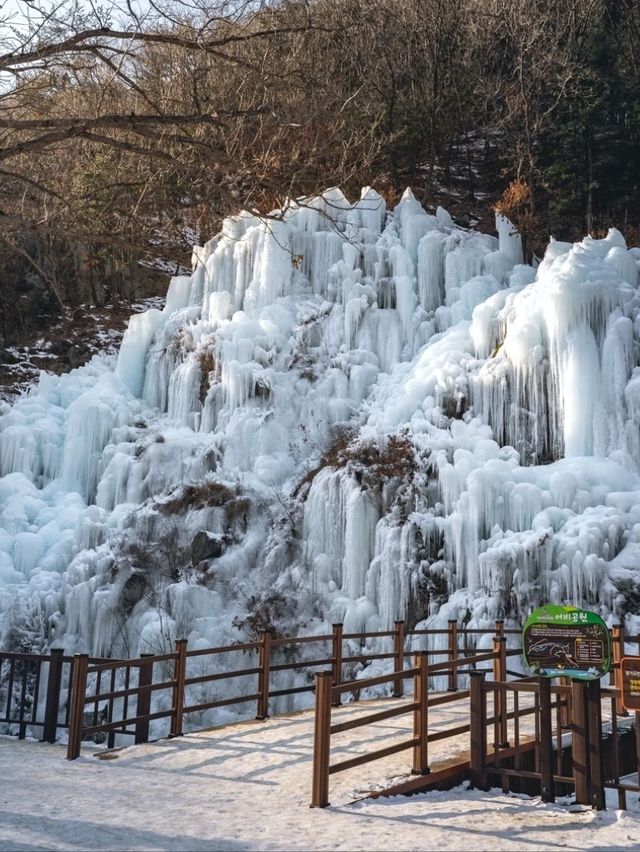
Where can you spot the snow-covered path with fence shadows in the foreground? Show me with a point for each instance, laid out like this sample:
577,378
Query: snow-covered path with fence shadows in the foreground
247,787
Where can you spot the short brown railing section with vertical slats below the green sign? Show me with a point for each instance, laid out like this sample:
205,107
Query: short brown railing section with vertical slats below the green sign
566,737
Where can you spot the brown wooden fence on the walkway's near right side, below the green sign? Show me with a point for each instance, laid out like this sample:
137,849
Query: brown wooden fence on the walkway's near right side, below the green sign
525,729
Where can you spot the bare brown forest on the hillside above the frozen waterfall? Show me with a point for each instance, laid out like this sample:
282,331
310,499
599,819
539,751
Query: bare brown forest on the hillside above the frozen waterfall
128,131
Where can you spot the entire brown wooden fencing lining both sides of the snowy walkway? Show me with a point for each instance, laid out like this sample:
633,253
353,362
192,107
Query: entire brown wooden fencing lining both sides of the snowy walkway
527,728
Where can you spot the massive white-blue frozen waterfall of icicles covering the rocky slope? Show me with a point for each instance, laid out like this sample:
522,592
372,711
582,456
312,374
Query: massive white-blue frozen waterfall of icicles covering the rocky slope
344,413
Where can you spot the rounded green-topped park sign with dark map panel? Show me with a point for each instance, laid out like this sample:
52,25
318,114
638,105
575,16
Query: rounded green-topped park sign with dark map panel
563,641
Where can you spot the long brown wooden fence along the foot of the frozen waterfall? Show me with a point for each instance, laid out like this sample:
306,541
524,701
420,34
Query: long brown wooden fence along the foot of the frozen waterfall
101,698
